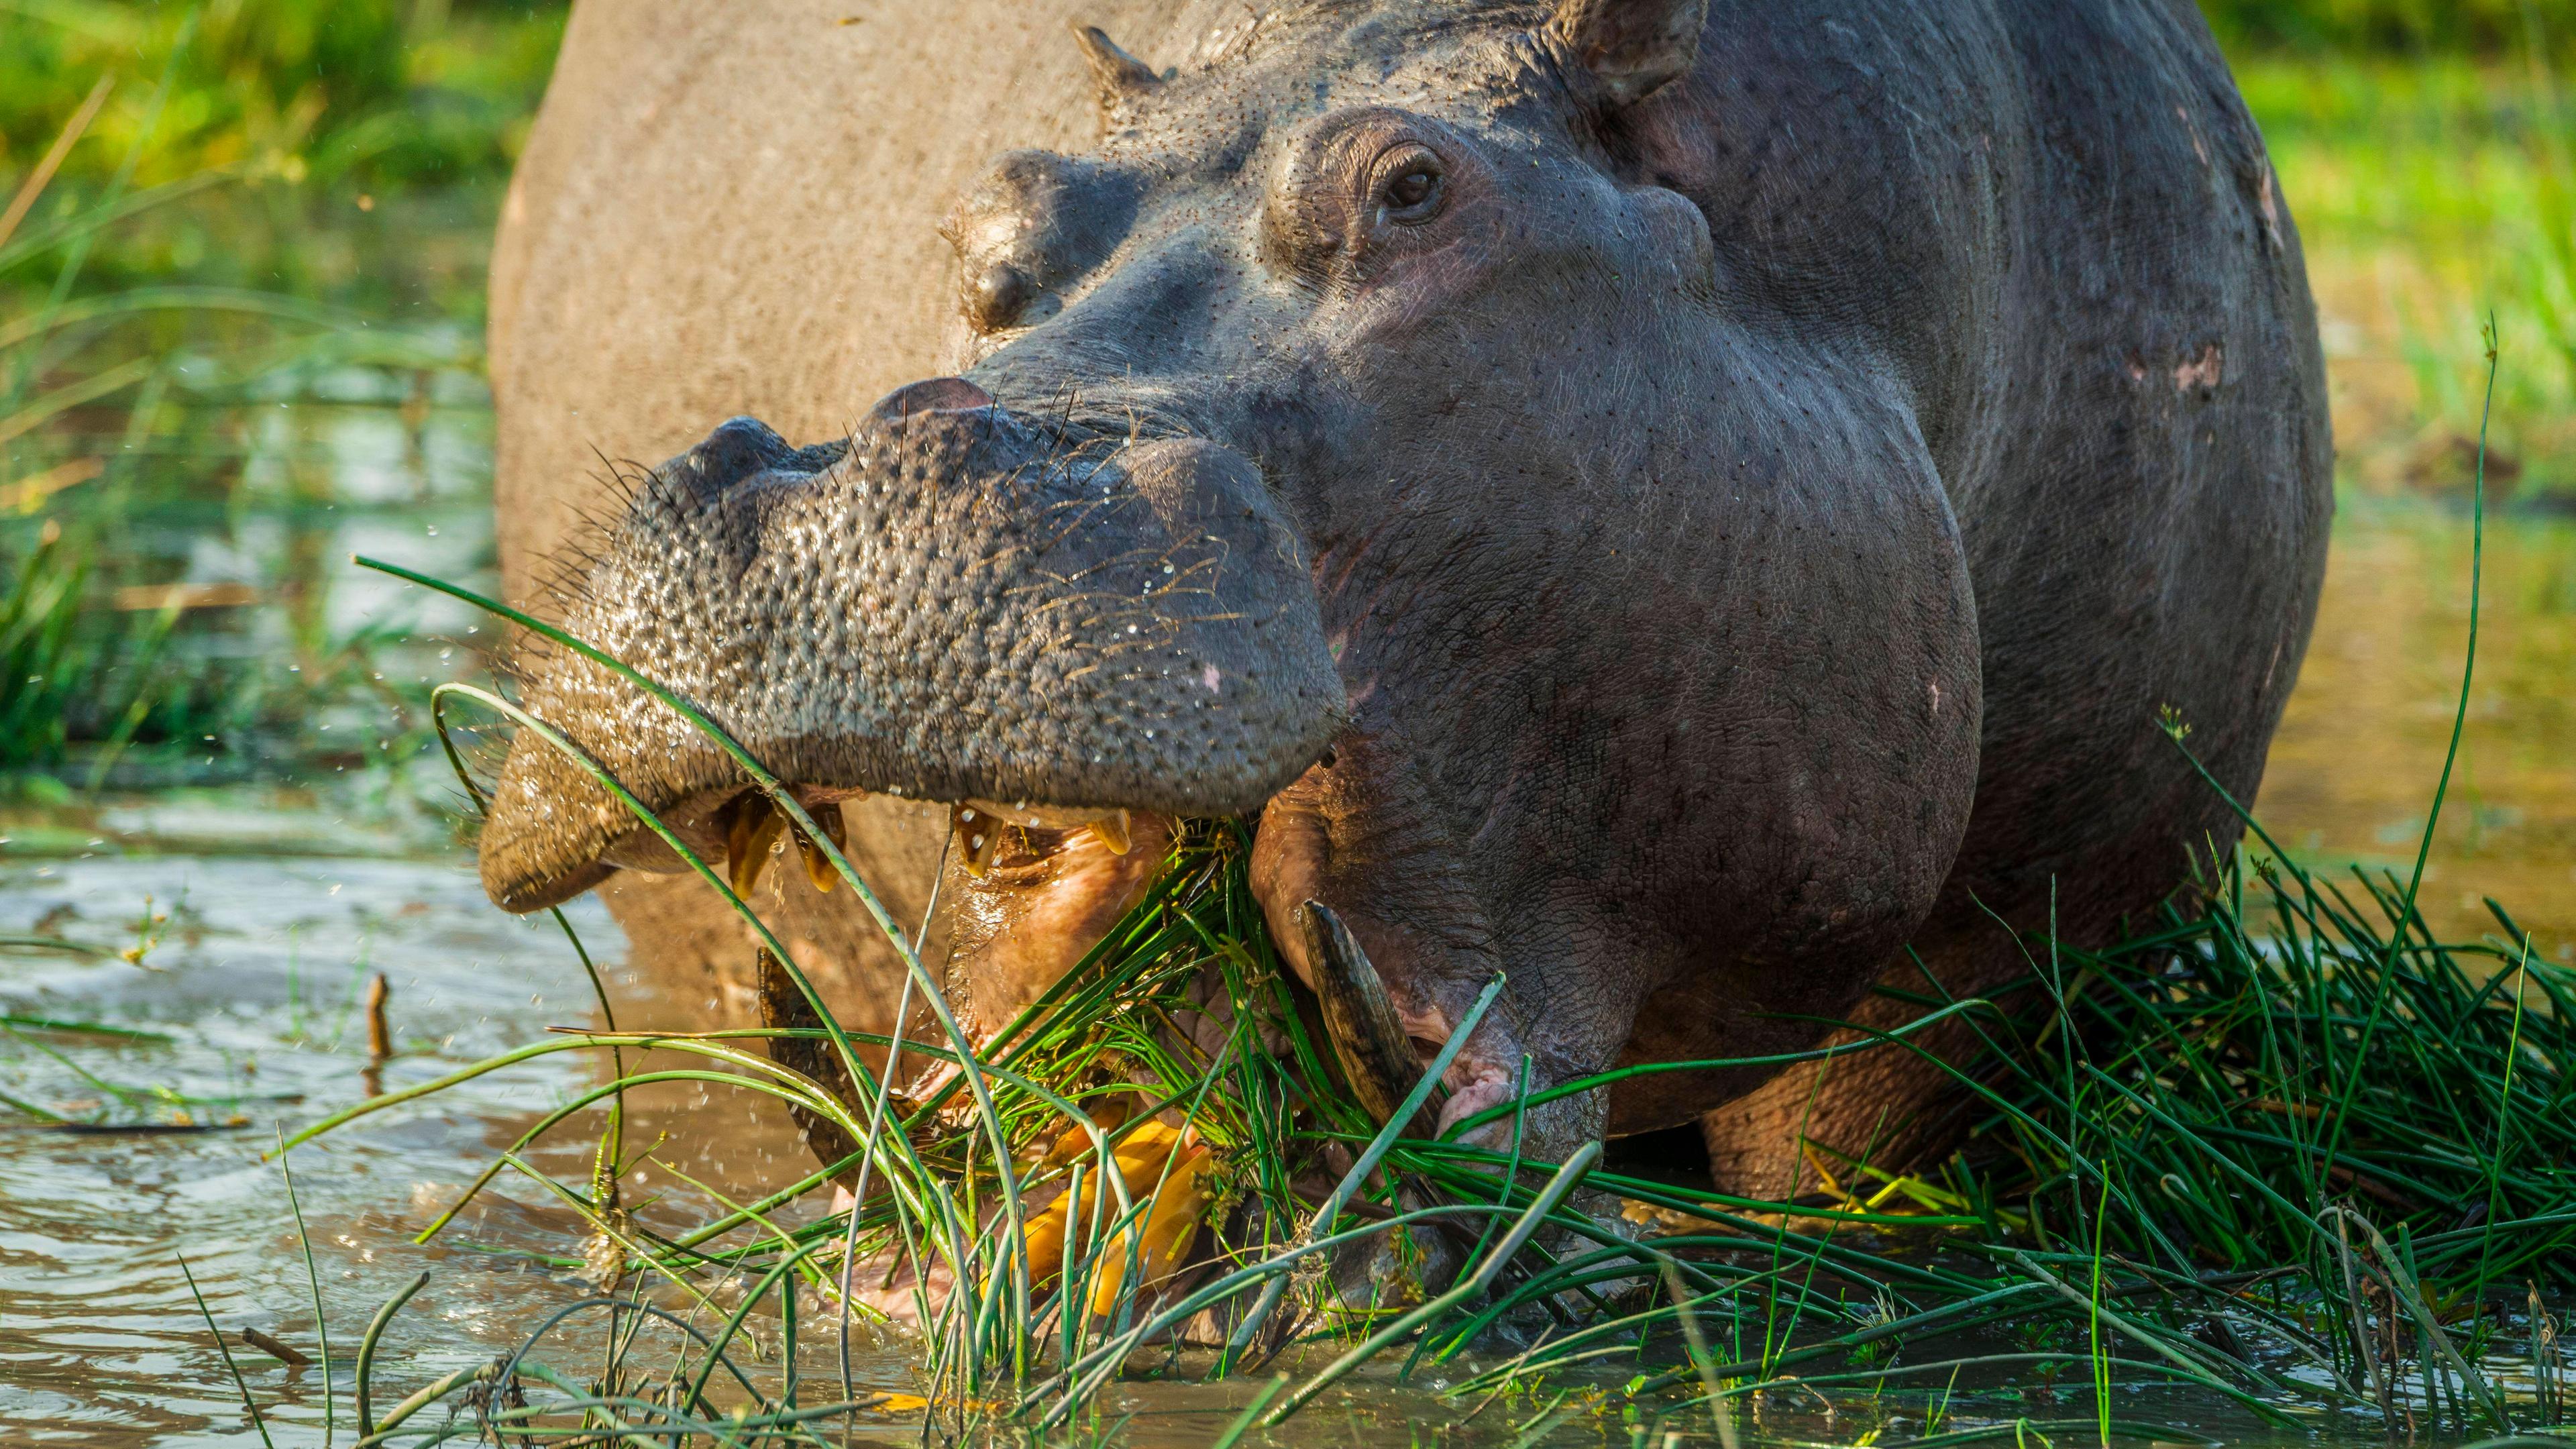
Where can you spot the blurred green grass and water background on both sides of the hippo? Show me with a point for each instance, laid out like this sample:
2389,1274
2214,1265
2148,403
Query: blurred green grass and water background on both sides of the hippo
241,329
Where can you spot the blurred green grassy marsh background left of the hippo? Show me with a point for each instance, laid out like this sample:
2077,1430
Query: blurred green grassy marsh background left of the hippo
241,331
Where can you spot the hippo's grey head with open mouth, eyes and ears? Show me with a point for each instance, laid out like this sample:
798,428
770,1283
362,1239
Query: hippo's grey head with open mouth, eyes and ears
1364,437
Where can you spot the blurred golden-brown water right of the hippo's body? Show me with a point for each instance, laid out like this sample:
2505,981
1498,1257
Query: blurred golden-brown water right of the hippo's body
2361,749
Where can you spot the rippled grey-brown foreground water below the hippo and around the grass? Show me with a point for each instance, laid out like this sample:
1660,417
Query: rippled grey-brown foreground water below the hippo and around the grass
254,997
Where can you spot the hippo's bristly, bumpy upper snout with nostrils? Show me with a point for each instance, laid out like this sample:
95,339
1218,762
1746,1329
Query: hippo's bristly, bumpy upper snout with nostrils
954,605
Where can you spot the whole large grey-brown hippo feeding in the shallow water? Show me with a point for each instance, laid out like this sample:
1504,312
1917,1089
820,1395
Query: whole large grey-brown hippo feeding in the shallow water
1707,509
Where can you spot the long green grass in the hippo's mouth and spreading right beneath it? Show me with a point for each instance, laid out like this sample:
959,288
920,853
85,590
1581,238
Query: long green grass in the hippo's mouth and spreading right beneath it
2284,1149
